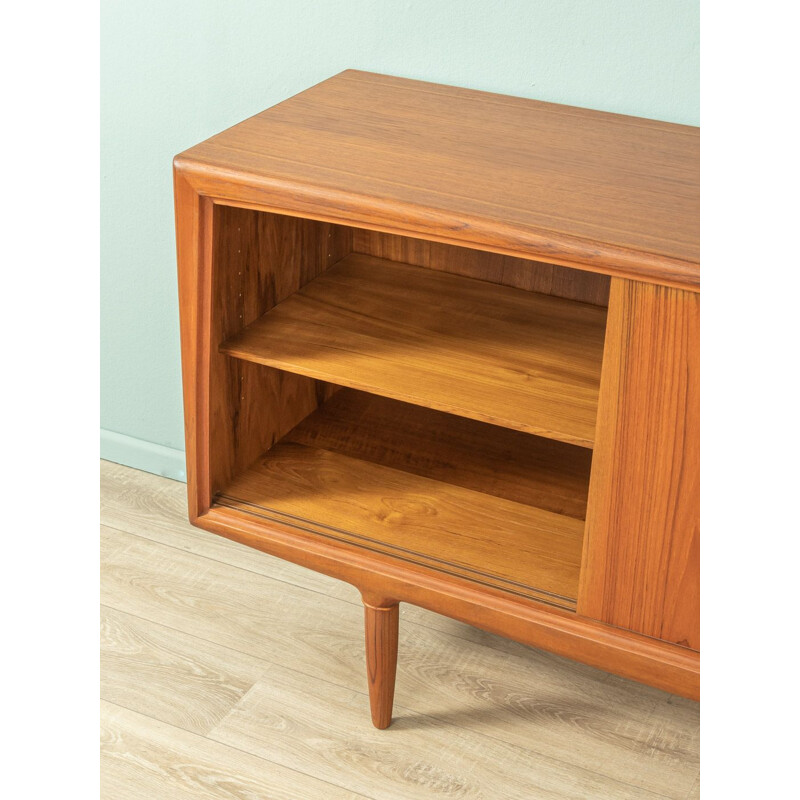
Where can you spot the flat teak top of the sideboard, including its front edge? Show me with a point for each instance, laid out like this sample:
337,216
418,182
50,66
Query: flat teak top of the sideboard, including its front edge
589,189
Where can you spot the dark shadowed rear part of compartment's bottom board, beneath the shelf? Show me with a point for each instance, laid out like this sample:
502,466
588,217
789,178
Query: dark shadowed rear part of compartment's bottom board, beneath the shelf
486,458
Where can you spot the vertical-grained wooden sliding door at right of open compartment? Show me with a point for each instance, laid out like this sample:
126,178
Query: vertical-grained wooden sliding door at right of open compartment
641,563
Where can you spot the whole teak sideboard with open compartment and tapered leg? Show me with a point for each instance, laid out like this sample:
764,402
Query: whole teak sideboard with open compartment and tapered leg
444,345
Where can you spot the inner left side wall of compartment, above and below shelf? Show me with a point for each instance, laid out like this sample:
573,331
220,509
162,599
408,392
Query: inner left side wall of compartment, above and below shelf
259,259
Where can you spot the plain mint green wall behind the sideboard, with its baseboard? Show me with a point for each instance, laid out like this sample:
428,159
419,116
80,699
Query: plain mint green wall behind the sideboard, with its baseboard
177,71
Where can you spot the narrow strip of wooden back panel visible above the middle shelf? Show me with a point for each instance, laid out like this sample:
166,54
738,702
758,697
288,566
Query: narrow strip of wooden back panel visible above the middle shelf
536,276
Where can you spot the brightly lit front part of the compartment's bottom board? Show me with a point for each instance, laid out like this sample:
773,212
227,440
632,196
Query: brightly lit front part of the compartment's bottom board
449,529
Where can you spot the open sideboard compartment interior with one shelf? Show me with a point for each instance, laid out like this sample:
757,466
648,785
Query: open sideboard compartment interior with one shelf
421,401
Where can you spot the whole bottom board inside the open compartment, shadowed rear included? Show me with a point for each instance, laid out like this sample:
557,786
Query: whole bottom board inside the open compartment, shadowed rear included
404,481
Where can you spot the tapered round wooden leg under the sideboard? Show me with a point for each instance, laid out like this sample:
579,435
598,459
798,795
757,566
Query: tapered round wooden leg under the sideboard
381,627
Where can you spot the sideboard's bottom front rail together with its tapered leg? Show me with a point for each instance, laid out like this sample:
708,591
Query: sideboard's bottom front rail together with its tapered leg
384,582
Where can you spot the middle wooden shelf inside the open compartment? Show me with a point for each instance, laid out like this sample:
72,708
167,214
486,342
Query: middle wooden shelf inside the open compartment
513,358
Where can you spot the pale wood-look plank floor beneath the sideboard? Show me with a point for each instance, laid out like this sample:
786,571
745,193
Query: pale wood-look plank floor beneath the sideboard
227,673
